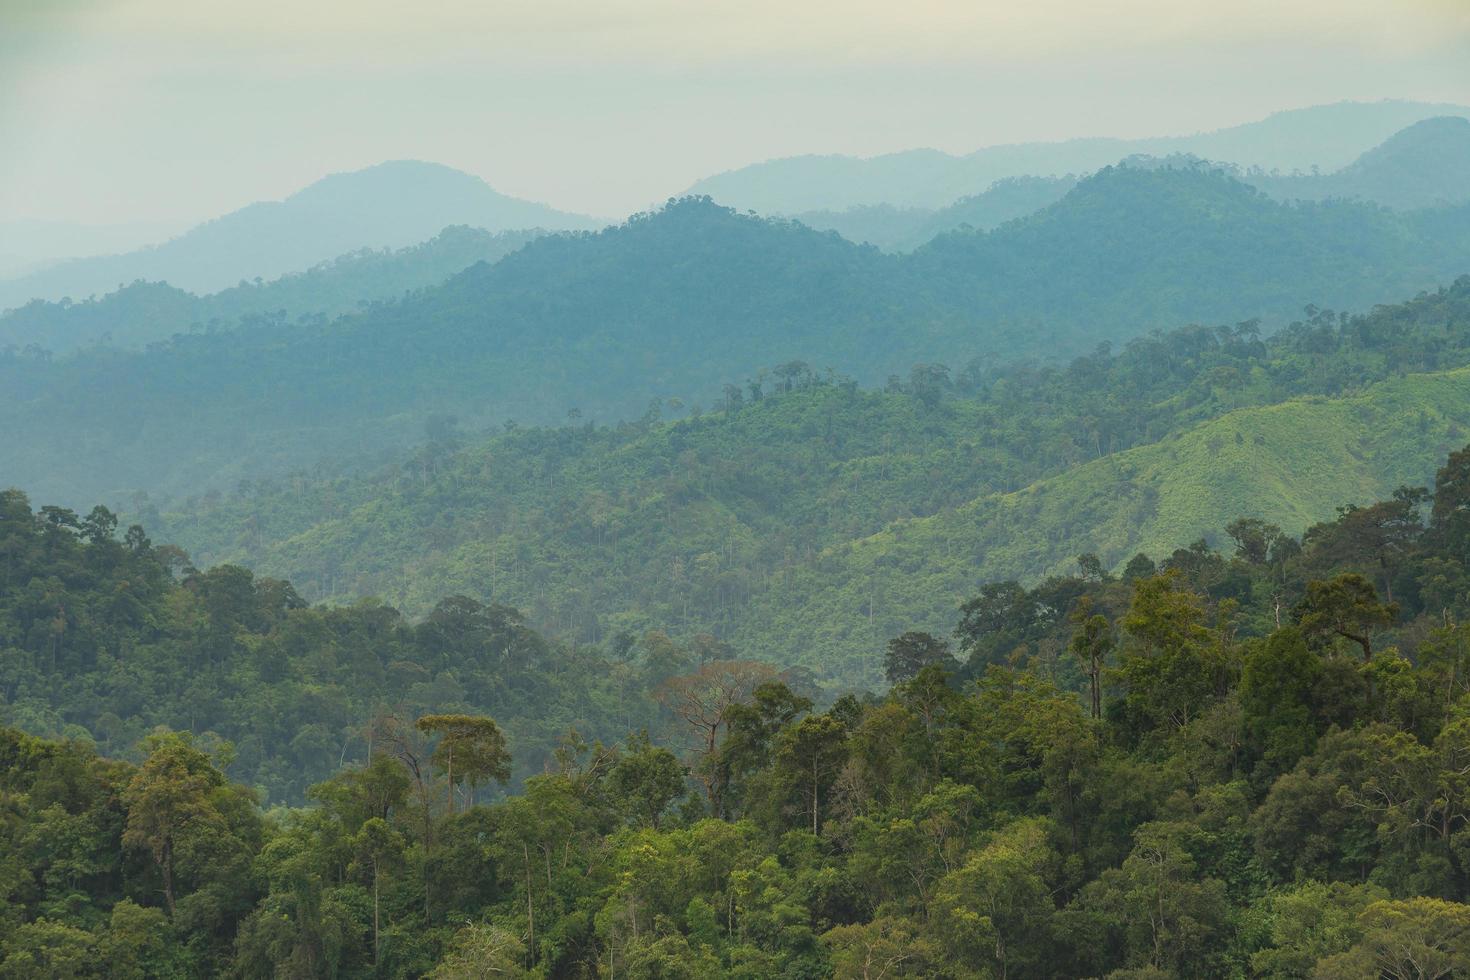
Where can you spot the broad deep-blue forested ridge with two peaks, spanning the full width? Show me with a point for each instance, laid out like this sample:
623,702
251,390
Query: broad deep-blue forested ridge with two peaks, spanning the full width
675,303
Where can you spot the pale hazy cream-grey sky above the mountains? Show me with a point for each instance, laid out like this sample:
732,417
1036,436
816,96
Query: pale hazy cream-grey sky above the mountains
115,111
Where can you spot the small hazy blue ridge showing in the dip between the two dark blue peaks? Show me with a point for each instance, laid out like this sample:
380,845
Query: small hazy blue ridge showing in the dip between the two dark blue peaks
906,228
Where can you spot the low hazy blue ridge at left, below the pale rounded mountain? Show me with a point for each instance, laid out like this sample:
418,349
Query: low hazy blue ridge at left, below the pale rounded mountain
148,312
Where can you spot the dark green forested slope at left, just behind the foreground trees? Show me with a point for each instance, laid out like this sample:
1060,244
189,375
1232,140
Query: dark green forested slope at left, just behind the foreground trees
107,637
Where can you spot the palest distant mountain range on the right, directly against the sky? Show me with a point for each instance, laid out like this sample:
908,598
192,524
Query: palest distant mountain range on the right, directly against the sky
1327,137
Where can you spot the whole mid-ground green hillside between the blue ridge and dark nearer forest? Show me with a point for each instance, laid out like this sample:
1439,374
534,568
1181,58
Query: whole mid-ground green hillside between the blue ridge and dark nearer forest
809,518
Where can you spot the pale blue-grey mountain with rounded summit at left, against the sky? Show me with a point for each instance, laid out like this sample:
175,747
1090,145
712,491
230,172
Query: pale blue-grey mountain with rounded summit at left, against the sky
386,206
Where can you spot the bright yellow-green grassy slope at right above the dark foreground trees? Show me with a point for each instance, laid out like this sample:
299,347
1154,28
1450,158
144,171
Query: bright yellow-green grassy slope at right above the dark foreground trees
1293,465
